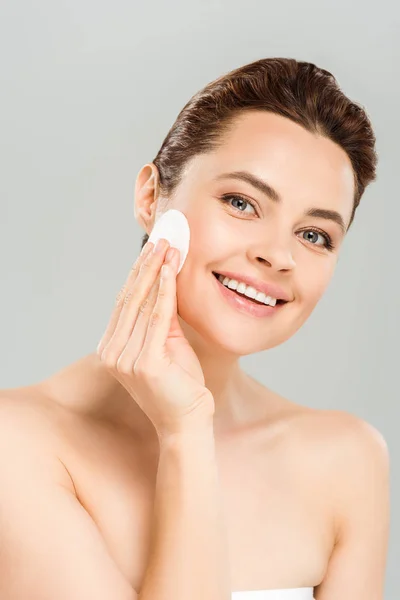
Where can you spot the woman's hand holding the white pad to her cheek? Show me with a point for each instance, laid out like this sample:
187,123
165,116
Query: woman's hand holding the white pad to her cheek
145,349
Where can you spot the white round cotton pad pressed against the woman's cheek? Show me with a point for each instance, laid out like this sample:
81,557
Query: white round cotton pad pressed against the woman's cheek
174,227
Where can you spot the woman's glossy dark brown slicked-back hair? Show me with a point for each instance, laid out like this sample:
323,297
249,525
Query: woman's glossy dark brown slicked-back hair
300,91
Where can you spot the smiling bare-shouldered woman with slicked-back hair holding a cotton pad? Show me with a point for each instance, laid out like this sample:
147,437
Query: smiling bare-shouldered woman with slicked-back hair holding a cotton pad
155,467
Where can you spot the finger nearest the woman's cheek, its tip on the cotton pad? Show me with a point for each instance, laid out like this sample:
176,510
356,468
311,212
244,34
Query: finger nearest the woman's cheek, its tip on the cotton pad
160,320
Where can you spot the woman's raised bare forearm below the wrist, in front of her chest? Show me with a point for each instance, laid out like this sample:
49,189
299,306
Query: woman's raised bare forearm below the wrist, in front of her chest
188,556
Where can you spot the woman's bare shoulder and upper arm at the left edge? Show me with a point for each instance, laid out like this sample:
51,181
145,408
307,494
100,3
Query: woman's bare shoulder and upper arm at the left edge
49,536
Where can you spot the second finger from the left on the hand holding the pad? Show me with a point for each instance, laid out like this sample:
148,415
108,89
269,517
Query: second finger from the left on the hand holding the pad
135,296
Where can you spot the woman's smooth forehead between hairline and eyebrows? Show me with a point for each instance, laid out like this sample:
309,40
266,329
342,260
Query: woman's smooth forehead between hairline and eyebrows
299,164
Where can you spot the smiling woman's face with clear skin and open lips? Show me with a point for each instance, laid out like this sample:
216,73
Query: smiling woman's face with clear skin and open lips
271,241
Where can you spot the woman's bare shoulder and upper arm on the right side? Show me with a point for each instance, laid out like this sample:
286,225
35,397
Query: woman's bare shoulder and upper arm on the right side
352,459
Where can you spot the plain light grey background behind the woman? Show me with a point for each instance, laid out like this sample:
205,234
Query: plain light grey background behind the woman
89,89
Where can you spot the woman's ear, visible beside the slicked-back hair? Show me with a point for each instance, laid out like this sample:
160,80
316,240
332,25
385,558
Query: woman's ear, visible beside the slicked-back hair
146,191
